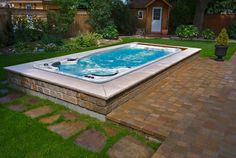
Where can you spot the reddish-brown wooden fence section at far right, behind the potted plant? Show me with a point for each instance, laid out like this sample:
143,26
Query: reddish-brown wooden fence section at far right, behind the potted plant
218,21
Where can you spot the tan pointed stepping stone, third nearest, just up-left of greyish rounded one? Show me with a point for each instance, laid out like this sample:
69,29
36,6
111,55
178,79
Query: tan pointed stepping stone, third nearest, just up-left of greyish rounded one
67,129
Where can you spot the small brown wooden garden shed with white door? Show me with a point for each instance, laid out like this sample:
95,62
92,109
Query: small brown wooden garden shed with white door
152,16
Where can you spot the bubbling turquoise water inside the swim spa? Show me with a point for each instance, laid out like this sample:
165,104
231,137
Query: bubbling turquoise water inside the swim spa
112,62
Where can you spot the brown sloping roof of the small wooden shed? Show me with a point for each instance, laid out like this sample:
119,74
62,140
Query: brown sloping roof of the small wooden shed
144,3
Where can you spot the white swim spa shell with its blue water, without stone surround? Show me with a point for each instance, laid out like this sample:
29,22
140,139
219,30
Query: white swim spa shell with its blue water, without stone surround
104,66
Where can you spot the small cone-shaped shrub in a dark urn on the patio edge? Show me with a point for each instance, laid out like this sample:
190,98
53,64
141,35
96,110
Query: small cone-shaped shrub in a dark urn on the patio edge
221,45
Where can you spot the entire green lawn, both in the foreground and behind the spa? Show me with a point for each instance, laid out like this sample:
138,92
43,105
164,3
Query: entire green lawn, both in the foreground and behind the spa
21,136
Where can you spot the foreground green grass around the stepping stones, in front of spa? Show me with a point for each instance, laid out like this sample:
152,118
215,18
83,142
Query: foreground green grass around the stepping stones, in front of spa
21,136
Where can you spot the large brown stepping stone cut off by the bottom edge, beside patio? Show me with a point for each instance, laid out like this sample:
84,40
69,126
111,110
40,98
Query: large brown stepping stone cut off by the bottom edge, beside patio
128,146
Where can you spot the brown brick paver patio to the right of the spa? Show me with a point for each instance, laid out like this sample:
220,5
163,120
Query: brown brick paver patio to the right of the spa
193,110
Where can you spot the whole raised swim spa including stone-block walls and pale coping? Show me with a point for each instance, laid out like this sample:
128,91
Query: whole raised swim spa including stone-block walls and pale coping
95,82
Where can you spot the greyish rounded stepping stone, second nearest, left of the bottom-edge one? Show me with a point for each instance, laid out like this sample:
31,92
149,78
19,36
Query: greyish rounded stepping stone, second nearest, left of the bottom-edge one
92,140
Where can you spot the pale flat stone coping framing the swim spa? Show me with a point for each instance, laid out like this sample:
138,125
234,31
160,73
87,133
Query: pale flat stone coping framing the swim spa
105,90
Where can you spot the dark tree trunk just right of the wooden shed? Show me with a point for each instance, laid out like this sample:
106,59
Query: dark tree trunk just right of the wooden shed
201,6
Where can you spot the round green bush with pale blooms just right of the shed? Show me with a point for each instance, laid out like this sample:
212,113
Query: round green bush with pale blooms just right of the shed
187,31
